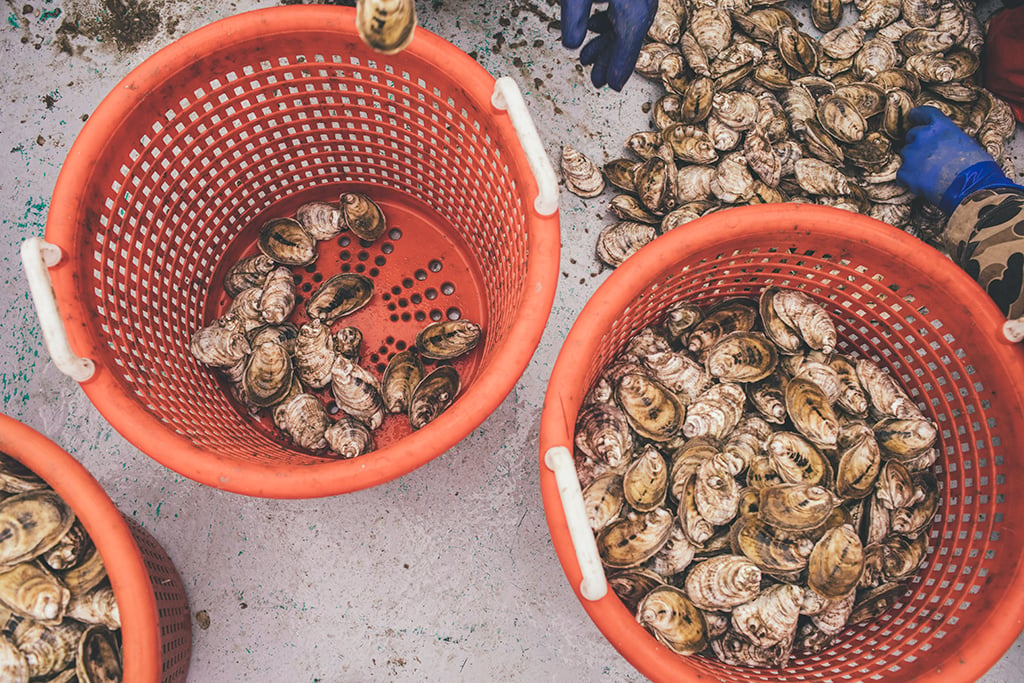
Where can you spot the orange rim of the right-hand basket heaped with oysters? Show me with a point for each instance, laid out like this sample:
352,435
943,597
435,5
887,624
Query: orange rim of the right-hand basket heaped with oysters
962,662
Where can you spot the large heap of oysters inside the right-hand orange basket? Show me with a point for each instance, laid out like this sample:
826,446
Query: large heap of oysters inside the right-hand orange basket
752,490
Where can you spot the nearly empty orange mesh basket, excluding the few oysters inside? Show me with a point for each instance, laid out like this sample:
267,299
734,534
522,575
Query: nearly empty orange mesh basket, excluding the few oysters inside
246,120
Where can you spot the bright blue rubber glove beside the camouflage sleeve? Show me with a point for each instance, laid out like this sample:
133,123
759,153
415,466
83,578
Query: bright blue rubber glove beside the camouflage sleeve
944,163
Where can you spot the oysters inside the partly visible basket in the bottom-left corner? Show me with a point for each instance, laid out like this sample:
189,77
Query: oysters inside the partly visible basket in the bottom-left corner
59,618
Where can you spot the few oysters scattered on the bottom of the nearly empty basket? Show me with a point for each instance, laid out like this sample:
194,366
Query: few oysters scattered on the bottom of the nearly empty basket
297,371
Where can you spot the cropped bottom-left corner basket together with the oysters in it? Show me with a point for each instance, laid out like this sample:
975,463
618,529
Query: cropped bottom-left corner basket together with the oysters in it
86,595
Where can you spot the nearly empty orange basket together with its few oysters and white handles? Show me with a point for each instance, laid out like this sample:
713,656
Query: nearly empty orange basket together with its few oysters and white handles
271,253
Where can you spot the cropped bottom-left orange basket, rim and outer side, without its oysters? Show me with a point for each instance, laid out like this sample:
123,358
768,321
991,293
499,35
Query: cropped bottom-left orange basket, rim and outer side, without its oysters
156,624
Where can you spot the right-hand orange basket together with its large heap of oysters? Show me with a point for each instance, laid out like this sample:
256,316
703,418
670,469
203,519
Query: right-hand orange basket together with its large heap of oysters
780,441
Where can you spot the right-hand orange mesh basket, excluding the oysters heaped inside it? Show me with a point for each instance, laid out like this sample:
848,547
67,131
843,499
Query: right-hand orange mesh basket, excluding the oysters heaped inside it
900,304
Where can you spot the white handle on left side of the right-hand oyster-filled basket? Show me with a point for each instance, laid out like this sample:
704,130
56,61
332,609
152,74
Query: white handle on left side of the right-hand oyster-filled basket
560,460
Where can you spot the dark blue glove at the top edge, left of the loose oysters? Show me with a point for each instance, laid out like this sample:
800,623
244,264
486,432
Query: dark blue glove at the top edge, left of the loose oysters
620,30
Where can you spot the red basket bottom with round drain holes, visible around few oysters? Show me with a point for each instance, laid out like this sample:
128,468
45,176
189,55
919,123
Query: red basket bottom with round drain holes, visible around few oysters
421,274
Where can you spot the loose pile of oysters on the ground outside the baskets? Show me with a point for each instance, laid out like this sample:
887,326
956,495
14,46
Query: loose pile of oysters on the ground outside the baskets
758,110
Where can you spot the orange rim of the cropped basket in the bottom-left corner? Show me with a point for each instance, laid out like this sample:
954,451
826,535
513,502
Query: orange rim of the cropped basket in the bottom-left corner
143,658
